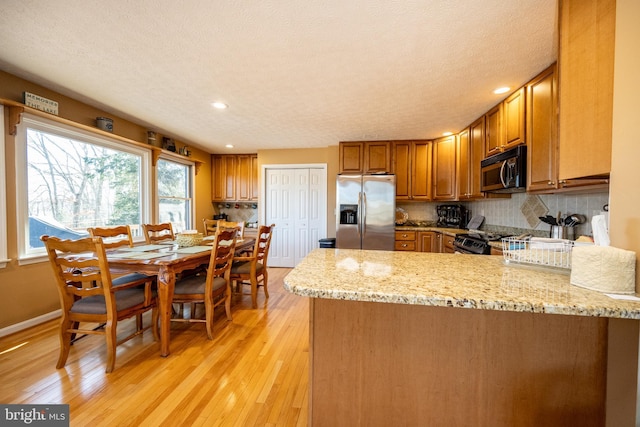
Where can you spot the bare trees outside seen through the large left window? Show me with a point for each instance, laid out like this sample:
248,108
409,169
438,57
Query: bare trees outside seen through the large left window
73,185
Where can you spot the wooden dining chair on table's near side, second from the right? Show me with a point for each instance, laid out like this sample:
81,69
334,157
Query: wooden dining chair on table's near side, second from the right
212,288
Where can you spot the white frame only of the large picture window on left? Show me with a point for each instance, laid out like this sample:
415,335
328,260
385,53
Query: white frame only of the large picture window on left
25,255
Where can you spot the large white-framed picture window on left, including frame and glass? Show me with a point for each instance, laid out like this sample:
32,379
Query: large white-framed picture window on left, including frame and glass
74,180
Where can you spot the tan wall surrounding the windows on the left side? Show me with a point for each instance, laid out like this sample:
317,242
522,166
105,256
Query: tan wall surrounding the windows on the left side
29,291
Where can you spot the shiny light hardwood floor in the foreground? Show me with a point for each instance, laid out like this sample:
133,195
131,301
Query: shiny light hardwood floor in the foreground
253,373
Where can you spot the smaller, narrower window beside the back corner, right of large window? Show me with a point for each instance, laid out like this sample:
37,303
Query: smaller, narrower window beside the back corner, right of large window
175,194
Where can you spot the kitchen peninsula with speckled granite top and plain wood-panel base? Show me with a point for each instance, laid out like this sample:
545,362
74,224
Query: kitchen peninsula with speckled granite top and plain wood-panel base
408,338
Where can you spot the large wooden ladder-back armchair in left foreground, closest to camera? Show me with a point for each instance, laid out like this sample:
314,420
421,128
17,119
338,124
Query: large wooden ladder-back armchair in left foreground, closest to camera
88,295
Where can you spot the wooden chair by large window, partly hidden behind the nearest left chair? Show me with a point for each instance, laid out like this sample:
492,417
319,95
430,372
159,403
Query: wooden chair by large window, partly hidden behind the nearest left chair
116,237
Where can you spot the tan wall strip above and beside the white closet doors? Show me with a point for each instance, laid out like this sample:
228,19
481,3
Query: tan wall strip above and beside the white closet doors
328,155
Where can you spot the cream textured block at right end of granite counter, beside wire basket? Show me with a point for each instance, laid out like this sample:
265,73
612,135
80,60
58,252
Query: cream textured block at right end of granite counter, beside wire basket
604,268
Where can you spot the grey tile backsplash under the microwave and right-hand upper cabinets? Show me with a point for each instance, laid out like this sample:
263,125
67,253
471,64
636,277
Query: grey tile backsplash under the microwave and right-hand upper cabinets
521,209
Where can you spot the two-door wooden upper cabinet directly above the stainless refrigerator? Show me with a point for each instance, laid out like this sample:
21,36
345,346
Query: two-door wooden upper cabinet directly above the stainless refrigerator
365,157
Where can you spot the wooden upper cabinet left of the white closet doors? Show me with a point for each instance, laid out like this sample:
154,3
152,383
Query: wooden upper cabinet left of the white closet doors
235,177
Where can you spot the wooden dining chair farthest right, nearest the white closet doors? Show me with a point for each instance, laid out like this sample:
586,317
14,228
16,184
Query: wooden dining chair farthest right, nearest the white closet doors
252,267
